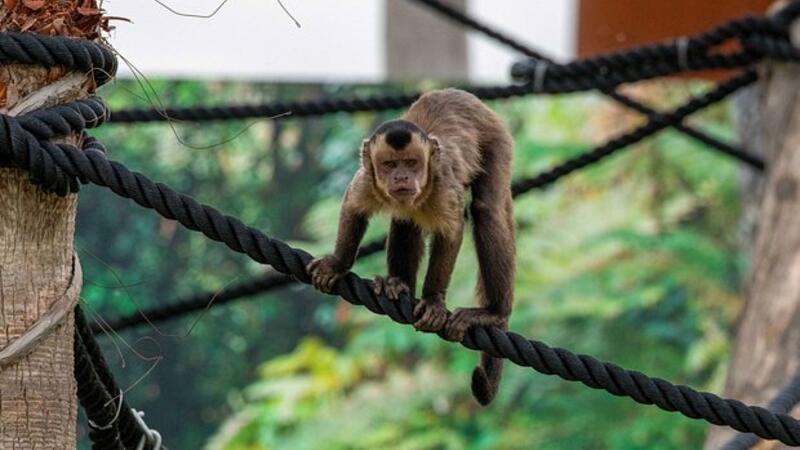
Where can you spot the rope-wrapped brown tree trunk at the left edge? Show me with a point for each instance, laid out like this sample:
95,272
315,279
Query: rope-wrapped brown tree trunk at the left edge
38,407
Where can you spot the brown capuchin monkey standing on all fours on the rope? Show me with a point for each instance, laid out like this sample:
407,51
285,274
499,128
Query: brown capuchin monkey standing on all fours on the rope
417,169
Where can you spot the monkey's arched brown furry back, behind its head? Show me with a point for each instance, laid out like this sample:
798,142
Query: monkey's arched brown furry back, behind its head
470,134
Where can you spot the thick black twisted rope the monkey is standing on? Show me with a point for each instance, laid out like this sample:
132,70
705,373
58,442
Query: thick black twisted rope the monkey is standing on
93,166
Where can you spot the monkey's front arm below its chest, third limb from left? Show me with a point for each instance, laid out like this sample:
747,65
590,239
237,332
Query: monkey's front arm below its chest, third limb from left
432,310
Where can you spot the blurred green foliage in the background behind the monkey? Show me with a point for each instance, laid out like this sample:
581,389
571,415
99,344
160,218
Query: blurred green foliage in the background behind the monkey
634,261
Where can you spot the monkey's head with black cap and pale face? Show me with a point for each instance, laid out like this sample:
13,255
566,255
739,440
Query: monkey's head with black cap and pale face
401,158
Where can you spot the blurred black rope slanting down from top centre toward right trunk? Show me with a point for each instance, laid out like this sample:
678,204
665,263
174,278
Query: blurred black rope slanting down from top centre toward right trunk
470,22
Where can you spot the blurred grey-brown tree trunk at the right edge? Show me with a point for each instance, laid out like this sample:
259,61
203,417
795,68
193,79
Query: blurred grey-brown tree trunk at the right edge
766,355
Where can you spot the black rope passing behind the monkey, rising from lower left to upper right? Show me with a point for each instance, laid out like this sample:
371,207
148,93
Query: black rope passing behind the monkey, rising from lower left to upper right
265,283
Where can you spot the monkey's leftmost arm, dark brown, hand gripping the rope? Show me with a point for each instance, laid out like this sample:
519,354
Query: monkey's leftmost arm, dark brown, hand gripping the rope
325,271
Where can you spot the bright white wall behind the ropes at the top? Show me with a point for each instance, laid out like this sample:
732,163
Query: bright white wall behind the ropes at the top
340,40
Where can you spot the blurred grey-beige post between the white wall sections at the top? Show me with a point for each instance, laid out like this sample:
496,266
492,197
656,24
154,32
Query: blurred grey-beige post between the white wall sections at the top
419,44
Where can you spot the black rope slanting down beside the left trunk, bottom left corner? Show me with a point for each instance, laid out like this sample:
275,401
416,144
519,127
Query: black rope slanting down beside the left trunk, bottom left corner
130,433
